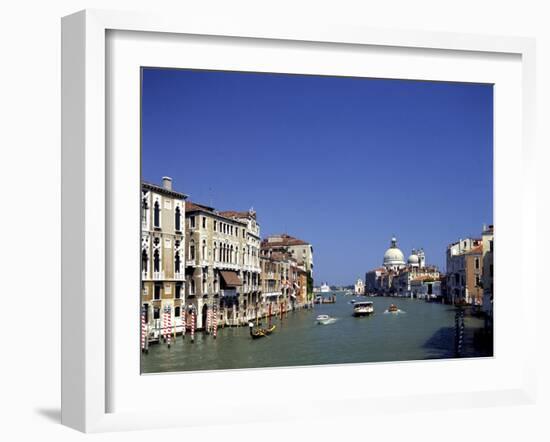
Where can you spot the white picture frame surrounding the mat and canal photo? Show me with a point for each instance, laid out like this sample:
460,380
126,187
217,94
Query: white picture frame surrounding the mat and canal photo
87,320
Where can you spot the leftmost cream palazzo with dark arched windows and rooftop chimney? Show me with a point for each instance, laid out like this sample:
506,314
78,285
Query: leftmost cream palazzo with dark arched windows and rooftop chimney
163,243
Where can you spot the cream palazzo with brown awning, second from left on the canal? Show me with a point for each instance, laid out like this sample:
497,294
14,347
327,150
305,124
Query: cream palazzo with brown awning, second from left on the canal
222,265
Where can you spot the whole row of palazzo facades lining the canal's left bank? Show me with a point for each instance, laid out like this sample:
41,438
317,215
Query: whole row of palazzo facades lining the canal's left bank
206,268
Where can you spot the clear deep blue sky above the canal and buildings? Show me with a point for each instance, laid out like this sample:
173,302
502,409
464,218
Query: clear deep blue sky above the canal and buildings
344,163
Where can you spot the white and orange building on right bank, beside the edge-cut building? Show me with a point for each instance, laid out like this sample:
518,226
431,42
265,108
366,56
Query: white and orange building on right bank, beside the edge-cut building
464,270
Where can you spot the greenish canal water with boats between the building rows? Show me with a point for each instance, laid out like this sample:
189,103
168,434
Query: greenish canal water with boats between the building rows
421,331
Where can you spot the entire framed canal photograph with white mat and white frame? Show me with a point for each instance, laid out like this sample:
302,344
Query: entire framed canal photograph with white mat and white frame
254,207
